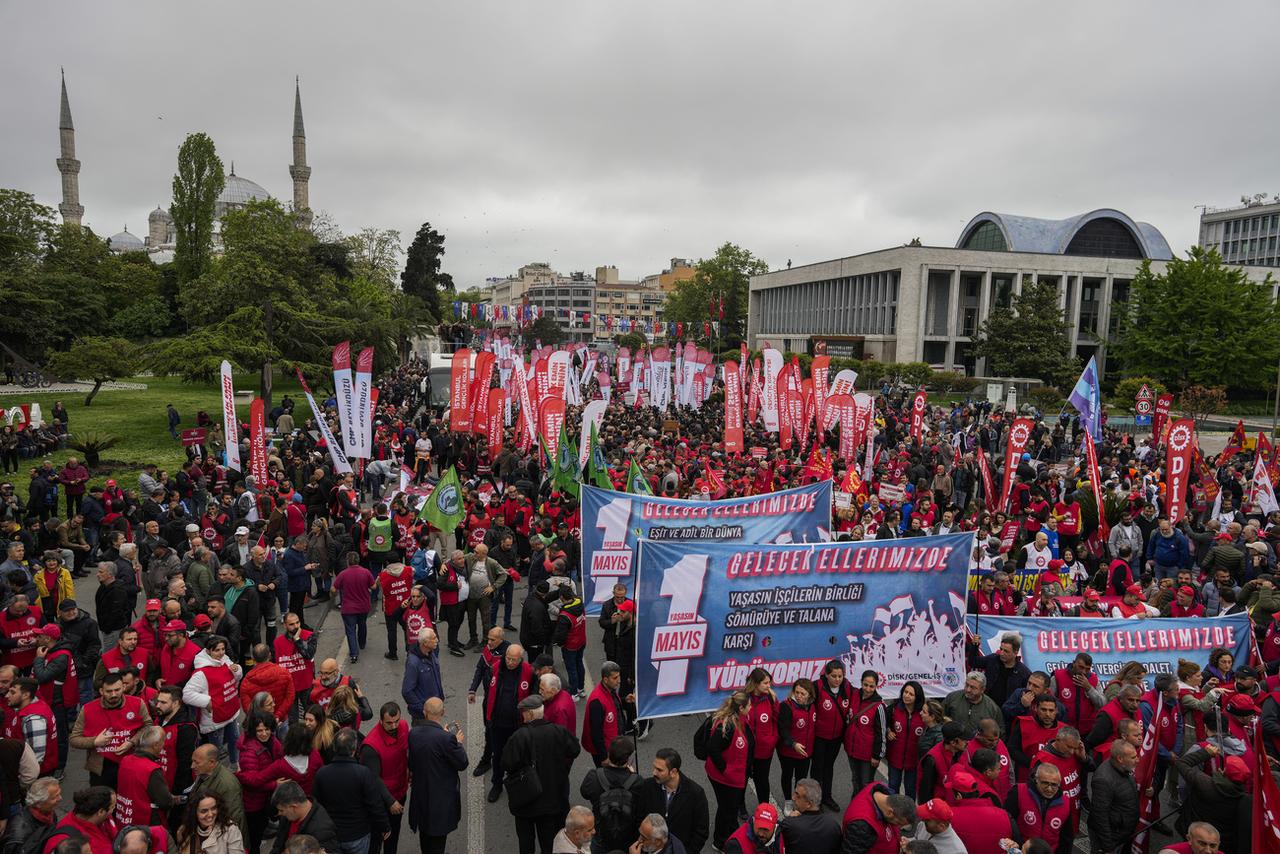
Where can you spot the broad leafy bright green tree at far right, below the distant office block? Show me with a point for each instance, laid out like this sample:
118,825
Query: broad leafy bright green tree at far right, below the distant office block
1200,323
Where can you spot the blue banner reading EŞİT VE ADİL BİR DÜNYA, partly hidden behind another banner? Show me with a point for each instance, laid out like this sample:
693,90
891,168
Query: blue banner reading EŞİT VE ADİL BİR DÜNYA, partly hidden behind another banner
615,522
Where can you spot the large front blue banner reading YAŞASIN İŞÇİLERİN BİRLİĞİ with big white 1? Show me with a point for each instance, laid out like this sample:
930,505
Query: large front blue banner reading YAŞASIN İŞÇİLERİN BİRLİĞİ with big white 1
711,613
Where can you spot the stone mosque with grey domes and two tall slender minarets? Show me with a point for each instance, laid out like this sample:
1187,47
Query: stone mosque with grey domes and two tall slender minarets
161,239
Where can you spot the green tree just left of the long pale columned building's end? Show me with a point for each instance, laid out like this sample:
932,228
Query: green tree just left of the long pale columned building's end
725,277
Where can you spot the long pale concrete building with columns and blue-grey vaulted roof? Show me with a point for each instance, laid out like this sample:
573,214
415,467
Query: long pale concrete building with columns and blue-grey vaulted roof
926,303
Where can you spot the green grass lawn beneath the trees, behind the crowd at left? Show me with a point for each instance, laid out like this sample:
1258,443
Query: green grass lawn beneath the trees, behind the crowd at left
139,418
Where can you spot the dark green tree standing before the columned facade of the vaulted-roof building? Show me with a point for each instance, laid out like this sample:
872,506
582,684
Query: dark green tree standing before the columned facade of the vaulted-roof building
1030,339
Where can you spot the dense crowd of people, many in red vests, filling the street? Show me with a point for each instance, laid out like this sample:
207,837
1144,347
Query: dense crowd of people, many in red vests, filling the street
193,692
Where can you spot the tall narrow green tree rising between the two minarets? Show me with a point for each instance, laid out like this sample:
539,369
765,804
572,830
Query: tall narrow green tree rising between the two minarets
195,194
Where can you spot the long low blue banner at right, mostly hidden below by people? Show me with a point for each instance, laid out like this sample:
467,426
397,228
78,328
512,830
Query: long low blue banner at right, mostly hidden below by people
1053,643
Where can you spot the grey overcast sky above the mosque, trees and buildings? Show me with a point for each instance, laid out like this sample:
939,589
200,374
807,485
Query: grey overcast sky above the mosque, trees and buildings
596,133
